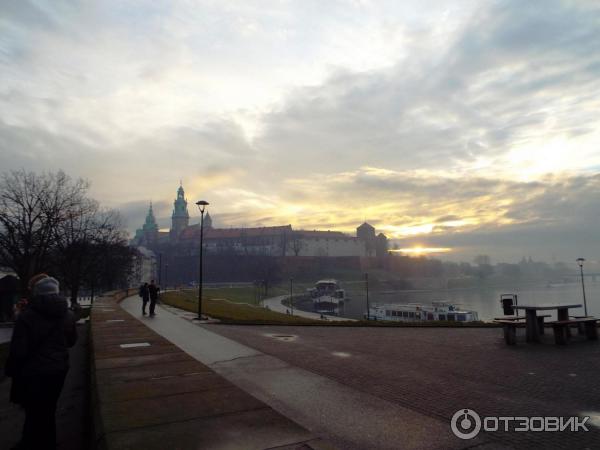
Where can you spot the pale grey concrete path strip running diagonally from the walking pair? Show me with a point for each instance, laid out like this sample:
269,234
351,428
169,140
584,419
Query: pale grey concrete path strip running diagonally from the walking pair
347,417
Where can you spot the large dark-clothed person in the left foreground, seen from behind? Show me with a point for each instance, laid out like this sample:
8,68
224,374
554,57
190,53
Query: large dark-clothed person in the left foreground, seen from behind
38,361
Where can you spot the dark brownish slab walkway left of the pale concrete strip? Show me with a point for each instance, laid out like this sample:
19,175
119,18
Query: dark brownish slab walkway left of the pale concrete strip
152,395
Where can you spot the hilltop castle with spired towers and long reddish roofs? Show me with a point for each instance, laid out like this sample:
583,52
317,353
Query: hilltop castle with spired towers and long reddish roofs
281,241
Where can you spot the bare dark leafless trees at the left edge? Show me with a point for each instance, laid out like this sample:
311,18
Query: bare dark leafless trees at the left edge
48,223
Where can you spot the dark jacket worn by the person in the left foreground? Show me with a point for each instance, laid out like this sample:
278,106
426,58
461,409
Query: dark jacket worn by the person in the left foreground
41,338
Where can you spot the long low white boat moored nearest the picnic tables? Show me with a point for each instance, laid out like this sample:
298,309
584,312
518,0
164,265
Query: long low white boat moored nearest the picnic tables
416,312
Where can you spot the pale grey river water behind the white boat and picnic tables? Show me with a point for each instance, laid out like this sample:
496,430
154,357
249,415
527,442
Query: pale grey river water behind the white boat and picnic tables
486,301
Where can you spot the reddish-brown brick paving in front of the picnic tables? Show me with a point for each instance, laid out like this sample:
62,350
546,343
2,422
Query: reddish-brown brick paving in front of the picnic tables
437,371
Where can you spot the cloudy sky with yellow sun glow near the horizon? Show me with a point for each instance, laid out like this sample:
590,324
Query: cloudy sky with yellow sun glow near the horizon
468,126
